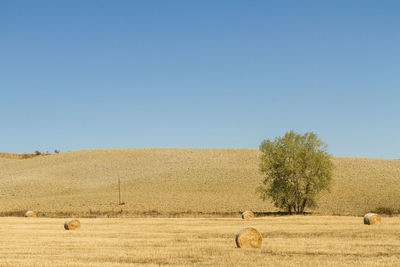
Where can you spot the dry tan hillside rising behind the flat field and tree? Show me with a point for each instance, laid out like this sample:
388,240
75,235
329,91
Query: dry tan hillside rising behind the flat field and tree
170,182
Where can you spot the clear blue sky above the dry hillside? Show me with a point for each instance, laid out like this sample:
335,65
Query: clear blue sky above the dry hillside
200,74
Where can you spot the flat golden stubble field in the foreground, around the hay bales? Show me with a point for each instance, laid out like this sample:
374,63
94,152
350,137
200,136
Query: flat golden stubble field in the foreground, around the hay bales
287,241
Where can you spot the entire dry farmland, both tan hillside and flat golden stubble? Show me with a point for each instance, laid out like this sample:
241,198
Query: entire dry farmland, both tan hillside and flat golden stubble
180,183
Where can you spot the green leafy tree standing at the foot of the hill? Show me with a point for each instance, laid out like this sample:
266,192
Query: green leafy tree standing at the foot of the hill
296,168
